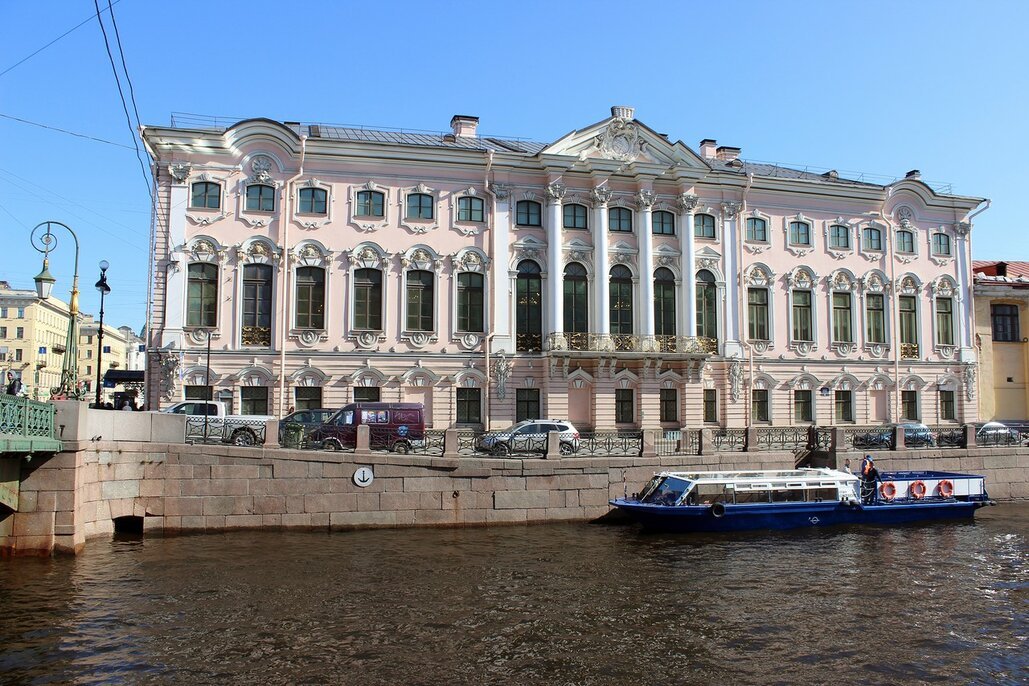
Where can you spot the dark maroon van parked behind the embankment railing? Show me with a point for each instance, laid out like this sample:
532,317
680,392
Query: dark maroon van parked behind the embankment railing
394,426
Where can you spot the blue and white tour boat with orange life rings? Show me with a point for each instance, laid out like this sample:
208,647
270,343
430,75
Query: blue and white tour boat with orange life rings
791,499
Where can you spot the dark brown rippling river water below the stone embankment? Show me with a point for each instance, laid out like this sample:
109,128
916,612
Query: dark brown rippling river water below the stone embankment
564,604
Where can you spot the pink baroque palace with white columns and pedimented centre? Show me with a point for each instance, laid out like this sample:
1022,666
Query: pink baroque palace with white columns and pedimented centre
613,277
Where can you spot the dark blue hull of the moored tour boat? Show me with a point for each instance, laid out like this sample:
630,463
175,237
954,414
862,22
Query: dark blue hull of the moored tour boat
791,516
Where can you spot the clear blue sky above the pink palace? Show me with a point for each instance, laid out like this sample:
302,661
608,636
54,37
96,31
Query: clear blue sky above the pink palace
873,88
